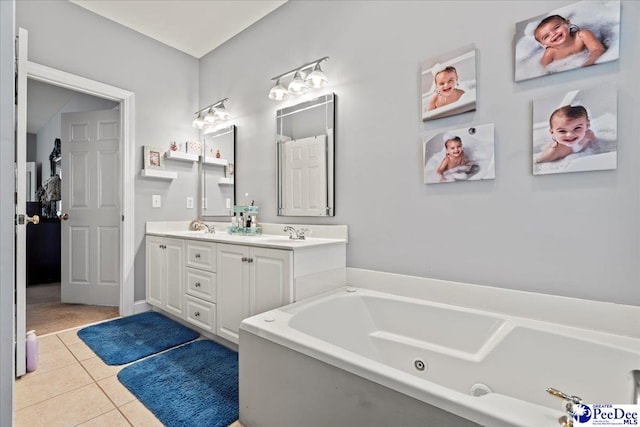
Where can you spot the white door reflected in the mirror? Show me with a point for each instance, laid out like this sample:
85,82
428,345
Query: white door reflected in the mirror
305,177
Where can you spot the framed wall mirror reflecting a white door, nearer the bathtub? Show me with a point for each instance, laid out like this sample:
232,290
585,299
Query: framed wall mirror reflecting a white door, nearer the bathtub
305,138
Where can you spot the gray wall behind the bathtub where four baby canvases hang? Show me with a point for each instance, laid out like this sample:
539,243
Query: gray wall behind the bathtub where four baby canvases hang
567,234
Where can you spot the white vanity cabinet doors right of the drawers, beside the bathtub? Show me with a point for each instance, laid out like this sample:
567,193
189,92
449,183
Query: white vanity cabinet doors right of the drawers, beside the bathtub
251,280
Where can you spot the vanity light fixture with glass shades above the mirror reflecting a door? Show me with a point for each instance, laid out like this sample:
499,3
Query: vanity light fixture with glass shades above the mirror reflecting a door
306,76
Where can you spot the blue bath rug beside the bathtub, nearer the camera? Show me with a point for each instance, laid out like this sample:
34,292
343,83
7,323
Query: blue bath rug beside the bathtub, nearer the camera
192,385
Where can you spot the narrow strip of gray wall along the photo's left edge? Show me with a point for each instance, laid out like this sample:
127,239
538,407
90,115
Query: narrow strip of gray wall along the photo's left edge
7,213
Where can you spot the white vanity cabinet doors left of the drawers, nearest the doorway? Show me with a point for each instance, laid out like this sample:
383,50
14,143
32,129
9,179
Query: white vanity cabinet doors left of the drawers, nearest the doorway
165,273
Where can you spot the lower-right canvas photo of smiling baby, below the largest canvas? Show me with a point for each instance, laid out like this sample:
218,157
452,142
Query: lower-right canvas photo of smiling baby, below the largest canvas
575,131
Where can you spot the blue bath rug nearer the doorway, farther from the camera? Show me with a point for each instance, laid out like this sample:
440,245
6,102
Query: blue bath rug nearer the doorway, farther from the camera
131,338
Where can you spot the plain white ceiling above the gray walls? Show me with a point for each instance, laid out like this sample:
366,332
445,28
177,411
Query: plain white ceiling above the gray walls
193,26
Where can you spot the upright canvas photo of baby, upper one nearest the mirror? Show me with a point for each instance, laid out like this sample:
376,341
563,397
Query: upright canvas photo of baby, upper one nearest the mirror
449,84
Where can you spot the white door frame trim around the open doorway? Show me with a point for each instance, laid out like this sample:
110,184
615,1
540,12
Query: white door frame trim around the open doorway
126,98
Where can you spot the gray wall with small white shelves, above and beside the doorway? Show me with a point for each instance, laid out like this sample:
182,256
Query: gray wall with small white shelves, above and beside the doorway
165,81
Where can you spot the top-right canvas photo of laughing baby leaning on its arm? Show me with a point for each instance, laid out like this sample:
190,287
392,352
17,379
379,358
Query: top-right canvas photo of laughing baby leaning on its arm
574,36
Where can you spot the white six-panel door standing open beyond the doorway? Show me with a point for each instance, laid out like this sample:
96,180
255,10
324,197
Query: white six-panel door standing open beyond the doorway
90,241
